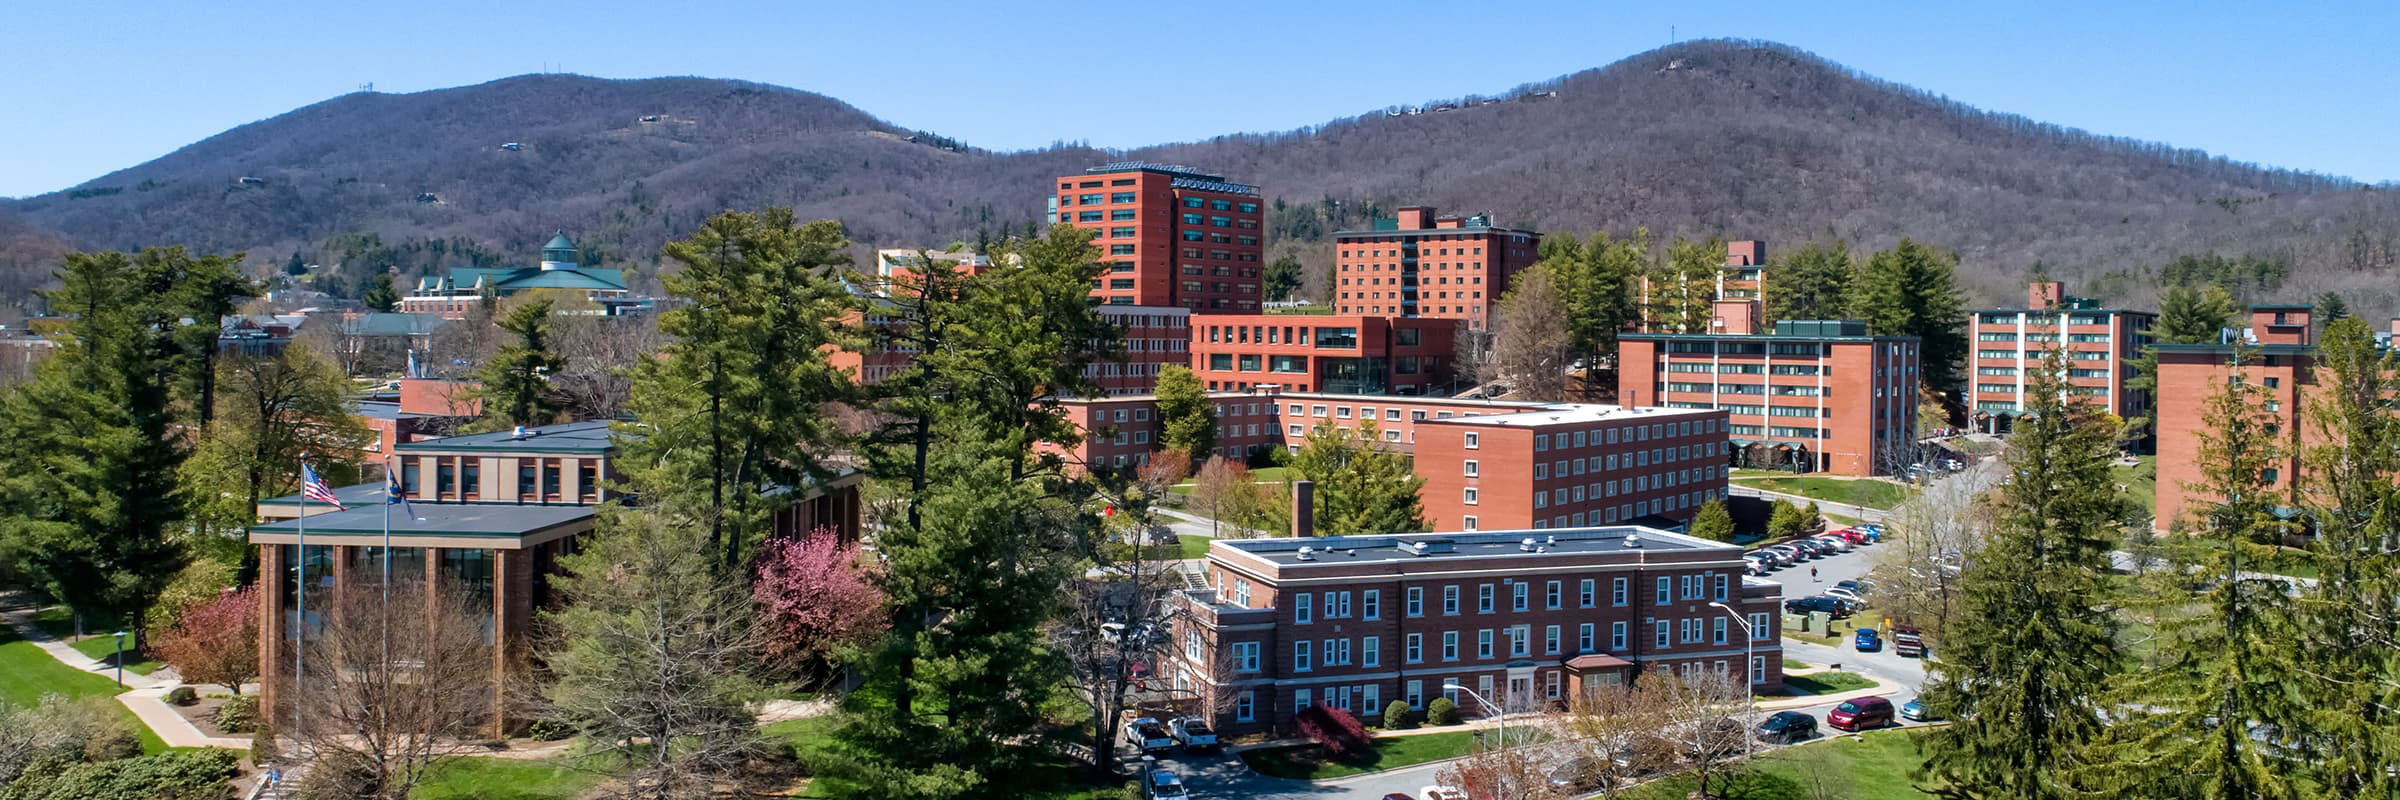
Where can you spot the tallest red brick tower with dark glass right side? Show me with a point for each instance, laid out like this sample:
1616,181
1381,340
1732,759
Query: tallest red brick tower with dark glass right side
1170,237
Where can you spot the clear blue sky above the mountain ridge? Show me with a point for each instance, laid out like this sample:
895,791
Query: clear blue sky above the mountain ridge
97,88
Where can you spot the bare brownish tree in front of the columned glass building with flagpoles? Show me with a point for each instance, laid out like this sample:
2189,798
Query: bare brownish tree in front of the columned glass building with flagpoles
392,686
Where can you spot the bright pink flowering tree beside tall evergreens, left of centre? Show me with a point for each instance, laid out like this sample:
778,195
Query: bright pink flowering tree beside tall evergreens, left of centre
815,599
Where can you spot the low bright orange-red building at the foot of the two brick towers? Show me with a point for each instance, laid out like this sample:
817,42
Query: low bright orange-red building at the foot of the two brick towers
1340,354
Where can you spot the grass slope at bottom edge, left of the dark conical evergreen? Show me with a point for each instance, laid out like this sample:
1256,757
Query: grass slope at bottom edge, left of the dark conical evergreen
1868,768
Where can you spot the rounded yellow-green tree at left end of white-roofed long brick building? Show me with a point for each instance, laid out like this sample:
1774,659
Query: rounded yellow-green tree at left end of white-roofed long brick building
1362,486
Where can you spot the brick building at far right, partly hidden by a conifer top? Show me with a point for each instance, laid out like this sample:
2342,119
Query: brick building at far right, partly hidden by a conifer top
2190,376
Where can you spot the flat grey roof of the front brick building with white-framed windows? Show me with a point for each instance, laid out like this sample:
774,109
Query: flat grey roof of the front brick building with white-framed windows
1468,544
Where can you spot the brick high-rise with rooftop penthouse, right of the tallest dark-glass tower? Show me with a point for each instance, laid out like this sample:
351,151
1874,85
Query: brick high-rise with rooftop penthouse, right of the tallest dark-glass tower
1429,265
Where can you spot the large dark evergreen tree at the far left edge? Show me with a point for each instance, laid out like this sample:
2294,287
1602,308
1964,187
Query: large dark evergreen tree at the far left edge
88,446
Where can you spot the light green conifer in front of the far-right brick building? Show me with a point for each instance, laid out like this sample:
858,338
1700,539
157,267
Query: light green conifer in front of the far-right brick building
2190,722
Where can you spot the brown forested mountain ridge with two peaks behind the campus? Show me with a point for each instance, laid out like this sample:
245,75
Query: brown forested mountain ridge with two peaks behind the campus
1717,138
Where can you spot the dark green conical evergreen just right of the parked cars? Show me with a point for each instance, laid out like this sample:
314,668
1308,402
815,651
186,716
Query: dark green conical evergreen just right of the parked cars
2022,679
